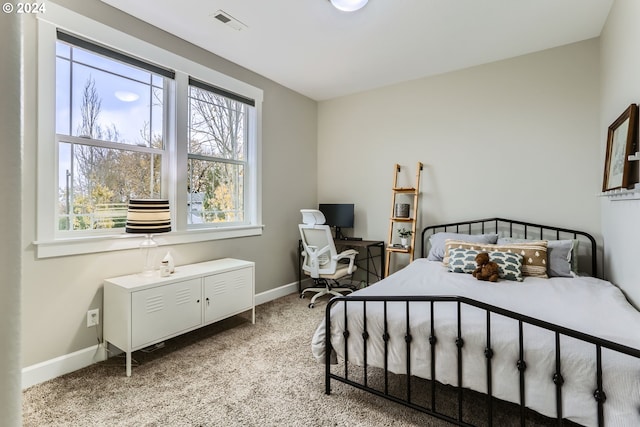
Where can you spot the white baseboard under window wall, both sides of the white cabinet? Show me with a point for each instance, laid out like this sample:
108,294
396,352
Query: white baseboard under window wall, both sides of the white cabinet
49,369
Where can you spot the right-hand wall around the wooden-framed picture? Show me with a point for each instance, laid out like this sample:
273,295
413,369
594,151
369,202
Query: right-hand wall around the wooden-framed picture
620,87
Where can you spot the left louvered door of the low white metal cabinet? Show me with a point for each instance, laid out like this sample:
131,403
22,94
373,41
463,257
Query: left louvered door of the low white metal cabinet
165,311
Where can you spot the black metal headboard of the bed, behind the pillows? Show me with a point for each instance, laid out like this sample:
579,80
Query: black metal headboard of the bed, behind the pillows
520,229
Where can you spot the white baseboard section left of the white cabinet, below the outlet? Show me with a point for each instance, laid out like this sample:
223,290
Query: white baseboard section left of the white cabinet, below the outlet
49,369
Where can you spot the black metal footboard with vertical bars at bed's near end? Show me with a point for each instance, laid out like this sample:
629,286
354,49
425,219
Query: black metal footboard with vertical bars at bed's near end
374,331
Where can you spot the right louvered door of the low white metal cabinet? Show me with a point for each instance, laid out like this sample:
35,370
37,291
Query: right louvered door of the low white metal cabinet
228,293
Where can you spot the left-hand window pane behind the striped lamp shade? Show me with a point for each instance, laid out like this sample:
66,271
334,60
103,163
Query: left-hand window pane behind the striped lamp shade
109,132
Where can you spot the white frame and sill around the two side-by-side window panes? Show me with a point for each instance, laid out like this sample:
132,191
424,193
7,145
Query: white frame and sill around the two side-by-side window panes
51,244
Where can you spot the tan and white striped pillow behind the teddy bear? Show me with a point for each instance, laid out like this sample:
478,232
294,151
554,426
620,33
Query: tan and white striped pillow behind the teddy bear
534,254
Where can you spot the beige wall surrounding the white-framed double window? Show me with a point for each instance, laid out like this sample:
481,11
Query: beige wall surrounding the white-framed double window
57,292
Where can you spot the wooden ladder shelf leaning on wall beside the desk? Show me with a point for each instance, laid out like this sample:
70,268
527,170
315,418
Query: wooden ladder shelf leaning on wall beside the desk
403,222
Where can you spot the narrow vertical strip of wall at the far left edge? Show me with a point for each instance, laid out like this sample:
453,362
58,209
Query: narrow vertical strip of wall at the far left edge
11,214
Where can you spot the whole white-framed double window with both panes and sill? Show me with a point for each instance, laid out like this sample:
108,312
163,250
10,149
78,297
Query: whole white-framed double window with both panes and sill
120,118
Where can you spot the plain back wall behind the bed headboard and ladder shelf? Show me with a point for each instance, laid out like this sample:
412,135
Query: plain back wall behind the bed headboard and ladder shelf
518,138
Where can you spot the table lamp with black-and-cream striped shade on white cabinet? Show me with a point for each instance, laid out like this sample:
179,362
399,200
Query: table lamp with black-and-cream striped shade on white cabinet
148,217
